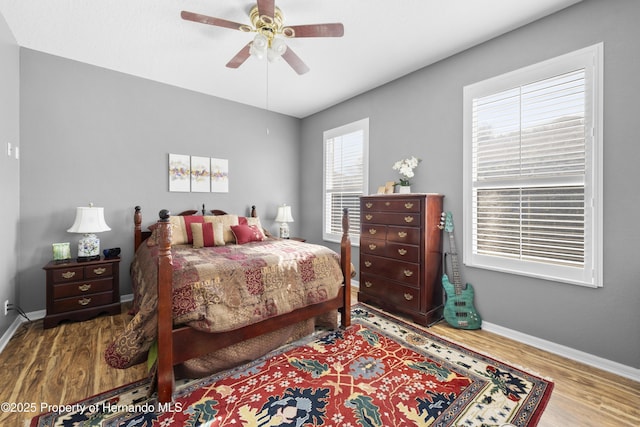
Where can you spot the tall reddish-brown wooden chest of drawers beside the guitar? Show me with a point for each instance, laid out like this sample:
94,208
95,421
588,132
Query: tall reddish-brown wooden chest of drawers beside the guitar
401,254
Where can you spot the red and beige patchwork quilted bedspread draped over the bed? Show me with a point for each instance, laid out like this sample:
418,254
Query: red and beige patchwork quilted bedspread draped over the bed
223,288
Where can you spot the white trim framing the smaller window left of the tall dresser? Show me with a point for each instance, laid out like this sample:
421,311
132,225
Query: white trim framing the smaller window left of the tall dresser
362,125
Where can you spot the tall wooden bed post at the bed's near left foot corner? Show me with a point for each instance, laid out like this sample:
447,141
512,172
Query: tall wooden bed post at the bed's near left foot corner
165,317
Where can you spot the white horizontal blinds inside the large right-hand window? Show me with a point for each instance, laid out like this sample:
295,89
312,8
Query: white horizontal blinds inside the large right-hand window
528,171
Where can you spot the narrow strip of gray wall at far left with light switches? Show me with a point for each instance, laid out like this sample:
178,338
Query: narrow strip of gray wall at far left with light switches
9,170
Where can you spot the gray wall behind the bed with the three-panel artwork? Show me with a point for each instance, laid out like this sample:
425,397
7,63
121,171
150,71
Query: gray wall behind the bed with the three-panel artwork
94,135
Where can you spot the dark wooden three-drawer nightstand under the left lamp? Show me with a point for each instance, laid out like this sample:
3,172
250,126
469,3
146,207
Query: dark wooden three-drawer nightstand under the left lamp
81,290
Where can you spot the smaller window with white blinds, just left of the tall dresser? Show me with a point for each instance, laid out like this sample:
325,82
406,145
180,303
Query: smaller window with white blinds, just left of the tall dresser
345,178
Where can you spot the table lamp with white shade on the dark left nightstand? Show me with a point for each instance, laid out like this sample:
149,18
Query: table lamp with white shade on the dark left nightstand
89,220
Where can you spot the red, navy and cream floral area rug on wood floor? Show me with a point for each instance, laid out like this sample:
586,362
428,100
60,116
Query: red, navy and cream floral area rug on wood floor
379,372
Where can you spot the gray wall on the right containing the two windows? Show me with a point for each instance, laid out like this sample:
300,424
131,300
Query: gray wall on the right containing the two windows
421,115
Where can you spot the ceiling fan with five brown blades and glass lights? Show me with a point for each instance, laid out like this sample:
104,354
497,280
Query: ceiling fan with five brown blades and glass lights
268,22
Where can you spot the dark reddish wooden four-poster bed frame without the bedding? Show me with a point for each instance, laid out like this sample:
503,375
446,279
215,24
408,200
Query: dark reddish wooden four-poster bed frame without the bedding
179,344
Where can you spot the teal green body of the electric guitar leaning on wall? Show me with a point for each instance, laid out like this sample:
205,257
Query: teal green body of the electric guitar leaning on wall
459,310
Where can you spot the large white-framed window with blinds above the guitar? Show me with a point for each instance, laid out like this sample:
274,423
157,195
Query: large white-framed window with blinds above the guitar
532,170
